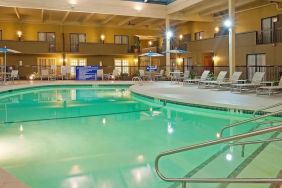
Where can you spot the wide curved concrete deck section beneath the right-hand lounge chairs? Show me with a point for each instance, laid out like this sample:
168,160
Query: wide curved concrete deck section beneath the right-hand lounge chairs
190,94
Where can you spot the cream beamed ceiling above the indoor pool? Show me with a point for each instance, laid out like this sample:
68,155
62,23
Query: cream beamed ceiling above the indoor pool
119,13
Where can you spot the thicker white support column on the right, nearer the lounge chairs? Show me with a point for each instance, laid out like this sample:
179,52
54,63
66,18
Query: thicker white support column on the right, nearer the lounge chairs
232,44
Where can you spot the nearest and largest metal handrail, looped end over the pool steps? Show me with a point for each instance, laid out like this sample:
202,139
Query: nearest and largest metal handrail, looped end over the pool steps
214,142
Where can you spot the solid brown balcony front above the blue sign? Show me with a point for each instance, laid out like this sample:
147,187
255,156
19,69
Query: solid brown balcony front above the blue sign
103,49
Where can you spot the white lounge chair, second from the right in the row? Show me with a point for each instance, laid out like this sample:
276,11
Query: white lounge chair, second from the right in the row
255,83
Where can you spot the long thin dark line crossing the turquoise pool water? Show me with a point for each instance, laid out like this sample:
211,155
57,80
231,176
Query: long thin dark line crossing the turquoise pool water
76,117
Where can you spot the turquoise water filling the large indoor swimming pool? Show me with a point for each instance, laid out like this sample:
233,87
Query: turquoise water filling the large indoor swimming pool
105,137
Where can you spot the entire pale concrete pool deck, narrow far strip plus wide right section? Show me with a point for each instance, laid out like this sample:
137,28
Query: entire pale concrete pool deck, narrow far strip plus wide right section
188,94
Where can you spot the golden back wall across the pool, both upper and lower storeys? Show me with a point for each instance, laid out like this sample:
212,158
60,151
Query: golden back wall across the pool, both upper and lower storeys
30,32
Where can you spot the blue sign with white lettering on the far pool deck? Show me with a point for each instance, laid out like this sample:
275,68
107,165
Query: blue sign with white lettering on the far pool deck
86,72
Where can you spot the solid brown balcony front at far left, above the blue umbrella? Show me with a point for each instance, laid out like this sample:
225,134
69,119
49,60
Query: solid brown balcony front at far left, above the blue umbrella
26,47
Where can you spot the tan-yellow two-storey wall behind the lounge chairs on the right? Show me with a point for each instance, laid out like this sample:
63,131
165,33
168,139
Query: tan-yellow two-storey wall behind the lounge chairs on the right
247,23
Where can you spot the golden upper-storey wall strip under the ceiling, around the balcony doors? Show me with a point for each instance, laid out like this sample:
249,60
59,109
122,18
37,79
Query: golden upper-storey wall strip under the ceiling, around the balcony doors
30,32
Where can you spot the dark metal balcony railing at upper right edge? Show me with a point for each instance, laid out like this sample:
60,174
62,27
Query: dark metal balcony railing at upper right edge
269,36
